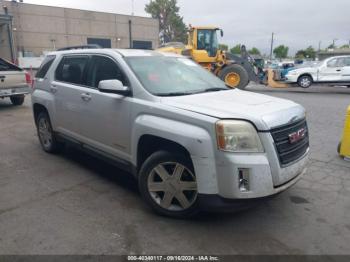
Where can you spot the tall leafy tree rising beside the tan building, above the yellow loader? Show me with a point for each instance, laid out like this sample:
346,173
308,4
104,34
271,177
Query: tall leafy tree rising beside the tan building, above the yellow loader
171,25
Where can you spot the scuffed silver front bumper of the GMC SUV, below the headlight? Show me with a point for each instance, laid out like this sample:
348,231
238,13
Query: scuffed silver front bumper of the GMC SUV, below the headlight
221,176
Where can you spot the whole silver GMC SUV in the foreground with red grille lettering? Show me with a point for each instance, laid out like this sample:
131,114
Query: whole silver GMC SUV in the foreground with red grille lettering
191,142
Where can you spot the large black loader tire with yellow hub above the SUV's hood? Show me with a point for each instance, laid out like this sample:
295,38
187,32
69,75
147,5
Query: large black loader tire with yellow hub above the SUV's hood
234,76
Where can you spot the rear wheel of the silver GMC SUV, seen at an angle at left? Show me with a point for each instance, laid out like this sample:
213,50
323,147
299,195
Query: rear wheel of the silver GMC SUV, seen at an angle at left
46,135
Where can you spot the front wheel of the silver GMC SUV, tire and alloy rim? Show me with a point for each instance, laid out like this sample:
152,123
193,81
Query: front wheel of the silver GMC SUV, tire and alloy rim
168,185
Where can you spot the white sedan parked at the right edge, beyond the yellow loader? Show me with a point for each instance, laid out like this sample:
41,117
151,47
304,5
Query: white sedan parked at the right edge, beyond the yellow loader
334,70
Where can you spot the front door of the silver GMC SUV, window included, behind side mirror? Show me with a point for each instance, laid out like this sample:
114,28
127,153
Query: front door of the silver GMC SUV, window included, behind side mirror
105,121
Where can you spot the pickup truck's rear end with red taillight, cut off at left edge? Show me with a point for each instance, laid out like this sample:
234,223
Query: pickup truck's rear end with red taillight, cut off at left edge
14,82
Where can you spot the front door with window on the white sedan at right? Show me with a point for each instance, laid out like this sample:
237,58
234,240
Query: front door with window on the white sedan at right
331,71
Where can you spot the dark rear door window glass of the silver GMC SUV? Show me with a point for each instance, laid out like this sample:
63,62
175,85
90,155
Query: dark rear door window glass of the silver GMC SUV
71,70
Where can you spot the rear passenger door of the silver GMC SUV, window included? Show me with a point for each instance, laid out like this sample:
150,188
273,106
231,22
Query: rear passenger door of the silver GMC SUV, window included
68,89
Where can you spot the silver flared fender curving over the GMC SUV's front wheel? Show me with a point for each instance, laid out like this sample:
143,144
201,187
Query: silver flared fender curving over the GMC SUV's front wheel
196,140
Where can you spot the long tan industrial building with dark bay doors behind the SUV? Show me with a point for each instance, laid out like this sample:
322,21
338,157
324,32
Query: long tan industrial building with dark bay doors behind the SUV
28,31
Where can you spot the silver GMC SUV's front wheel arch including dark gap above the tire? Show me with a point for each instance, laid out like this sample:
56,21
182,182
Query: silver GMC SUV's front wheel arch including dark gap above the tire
189,139
